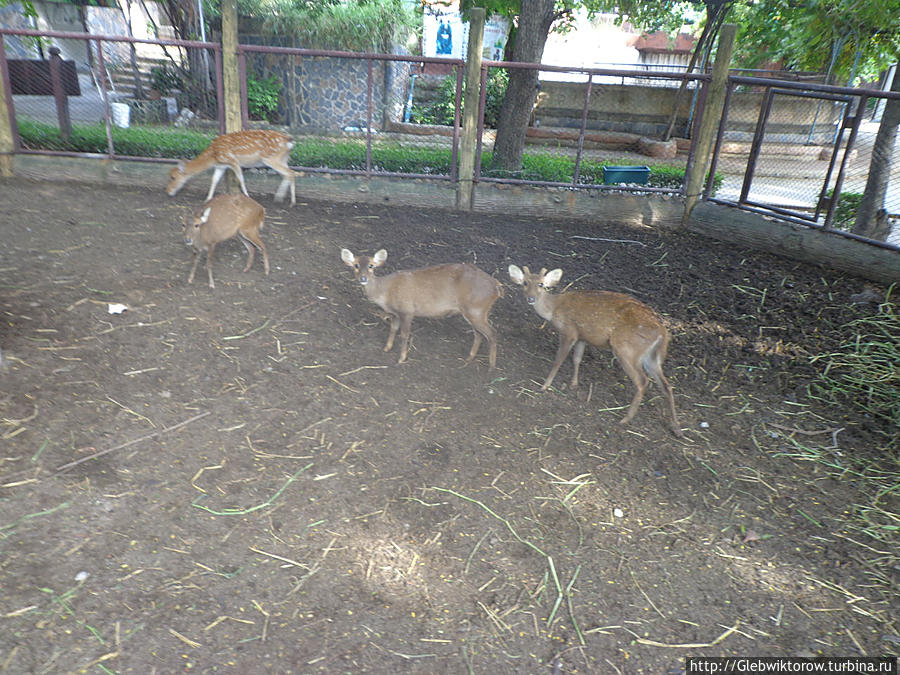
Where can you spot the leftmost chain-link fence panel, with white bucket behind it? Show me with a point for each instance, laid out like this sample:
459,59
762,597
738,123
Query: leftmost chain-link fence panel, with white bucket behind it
121,97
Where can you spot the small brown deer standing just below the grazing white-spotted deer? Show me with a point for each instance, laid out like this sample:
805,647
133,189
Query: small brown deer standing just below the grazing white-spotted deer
223,218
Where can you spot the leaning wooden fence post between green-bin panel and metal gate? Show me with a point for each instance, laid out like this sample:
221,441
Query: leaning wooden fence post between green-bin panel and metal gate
712,117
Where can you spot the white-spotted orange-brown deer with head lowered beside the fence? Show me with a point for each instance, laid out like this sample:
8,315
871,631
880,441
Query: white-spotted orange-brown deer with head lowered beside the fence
256,147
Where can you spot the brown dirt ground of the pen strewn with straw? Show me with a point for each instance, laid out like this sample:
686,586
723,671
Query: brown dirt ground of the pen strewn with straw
241,480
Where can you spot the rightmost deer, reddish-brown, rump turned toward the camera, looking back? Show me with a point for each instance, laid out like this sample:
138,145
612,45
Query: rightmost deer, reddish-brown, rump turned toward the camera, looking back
621,322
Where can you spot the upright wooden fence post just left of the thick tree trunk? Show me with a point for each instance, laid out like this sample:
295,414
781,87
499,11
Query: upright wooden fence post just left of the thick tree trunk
471,96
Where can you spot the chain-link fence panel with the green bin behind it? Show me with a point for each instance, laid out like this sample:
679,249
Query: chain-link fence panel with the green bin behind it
590,128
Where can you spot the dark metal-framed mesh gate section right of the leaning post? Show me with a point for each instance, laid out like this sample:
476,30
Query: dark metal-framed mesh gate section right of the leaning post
794,170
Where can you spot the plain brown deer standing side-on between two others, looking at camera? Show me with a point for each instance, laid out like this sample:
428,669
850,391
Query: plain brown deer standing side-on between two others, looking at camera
431,292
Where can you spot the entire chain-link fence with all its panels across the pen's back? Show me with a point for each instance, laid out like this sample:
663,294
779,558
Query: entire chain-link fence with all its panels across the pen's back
798,150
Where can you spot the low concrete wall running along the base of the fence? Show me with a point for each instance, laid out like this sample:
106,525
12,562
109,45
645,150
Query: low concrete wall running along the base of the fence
719,222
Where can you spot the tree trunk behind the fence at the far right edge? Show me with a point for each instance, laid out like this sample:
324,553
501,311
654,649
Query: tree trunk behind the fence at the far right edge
870,221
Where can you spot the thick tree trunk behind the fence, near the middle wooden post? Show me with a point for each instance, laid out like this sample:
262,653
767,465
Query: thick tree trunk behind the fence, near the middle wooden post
535,19
